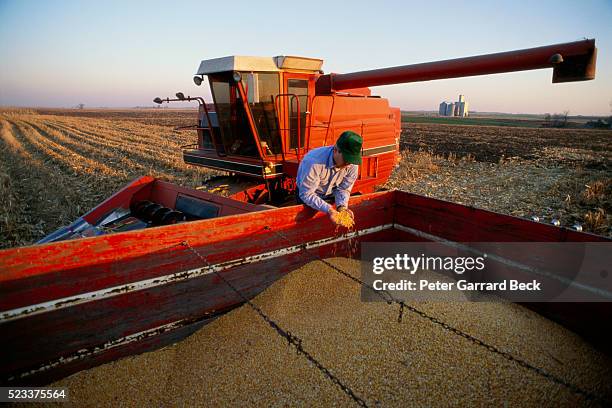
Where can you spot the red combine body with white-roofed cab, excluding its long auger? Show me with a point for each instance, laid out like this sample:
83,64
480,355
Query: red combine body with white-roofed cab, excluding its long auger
267,114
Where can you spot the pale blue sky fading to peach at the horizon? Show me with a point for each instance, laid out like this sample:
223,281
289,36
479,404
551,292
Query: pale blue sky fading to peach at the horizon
122,54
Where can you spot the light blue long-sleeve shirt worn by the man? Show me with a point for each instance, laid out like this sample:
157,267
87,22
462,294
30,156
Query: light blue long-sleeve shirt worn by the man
318,177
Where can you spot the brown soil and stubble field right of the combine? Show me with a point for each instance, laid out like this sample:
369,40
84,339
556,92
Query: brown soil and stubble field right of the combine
563,174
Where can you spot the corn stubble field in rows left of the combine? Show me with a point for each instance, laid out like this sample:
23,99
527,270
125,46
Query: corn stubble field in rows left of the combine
54,168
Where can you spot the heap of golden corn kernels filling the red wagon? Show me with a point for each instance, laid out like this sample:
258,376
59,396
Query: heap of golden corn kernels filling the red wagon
239,360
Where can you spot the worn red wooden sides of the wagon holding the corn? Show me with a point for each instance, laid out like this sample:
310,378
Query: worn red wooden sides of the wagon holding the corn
70,305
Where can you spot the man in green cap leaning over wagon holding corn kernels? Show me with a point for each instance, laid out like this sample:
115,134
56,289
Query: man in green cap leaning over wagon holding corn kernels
328,173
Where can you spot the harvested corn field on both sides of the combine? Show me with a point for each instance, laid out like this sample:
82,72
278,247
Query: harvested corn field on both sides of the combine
55,165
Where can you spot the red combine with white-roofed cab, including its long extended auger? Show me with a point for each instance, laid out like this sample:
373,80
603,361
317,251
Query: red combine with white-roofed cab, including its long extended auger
269,112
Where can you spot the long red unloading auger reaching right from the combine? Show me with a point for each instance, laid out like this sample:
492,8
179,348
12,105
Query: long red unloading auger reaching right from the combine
574,61
